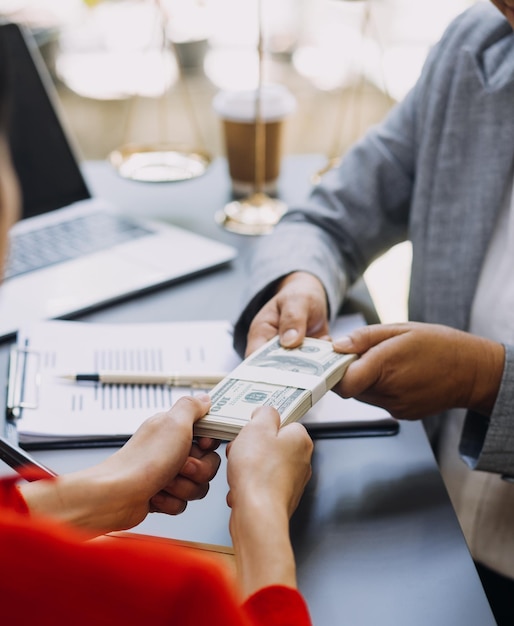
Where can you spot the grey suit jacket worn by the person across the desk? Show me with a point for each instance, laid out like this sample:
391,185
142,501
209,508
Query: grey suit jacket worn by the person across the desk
435,172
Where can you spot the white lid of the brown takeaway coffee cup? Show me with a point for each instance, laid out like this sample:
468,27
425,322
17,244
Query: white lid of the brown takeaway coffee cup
239,106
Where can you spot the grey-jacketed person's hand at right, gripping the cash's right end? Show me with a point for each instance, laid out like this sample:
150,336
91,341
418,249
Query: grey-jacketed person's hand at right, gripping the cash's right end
414,369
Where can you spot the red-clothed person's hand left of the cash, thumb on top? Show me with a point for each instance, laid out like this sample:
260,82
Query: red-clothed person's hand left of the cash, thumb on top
158,469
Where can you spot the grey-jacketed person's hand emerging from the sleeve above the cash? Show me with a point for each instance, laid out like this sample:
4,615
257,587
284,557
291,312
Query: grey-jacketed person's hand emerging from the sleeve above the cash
299,308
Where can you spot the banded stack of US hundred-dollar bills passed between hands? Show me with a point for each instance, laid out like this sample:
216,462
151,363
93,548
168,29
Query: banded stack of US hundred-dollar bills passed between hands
290,380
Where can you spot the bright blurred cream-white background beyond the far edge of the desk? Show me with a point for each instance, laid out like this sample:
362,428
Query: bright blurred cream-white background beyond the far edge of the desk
121,66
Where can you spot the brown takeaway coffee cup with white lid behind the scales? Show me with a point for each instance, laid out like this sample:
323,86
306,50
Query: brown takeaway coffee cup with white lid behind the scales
237,111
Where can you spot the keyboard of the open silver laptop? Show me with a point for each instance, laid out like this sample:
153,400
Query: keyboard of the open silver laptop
68,240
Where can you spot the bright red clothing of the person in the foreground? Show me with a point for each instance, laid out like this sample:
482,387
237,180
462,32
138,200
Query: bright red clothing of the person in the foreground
50,577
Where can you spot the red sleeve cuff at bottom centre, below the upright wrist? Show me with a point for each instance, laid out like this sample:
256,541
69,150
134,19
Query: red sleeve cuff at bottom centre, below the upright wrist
278,606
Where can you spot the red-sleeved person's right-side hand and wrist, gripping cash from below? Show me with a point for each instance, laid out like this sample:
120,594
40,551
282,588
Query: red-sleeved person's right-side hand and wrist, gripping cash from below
268,468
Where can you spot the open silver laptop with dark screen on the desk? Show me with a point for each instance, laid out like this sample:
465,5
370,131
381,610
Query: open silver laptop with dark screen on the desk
71,252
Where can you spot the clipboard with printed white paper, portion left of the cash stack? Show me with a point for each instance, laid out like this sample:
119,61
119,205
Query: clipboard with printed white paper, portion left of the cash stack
51,412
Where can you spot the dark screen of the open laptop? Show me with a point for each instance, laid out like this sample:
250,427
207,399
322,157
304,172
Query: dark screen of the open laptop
48,171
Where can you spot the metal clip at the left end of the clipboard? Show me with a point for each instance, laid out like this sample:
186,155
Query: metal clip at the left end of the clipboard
22,393
